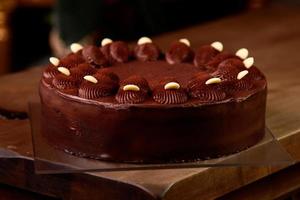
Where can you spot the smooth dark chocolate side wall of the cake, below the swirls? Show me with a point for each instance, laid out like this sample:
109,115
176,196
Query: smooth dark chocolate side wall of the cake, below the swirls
152,134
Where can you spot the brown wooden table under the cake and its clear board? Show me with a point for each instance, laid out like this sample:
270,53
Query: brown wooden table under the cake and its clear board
273,37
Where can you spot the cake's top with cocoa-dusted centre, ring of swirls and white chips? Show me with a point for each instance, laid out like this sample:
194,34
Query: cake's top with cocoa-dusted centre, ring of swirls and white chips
114,74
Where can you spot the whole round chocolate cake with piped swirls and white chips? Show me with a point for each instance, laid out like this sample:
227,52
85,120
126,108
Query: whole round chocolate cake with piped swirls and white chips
143,105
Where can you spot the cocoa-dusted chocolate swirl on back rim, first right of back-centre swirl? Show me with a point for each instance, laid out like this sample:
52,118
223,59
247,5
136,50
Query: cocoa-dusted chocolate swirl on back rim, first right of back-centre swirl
179,52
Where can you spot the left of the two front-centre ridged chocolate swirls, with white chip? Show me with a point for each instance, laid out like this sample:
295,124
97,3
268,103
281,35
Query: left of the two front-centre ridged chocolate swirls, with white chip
133,90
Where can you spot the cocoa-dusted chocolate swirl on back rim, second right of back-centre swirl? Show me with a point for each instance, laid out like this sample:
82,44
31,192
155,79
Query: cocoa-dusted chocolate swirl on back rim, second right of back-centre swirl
204,54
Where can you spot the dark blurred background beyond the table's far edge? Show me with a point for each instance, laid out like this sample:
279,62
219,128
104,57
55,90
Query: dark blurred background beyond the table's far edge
32,30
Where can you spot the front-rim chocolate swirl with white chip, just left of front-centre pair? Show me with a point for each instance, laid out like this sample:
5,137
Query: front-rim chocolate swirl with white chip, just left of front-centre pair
97,86
